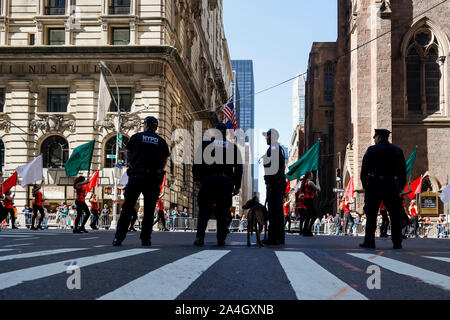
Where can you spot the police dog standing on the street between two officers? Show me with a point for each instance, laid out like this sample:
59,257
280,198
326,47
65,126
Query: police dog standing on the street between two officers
256,218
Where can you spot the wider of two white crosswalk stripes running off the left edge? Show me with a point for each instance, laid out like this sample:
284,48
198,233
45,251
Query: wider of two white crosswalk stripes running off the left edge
16,277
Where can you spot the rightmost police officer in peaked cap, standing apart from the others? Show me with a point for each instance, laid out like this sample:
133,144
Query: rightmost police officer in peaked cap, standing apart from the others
383,176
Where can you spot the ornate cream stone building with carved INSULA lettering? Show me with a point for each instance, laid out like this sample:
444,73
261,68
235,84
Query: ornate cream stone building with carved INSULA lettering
169,55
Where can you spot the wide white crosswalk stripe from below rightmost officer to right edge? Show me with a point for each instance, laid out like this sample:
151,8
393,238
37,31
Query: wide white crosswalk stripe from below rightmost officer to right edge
399,267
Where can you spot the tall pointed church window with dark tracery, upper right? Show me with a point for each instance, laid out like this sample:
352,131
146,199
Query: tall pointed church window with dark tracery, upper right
423,73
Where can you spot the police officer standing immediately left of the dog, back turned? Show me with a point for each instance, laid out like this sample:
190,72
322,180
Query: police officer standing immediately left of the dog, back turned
217,171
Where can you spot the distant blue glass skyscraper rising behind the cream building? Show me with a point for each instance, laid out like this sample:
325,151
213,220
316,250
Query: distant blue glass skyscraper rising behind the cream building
246,106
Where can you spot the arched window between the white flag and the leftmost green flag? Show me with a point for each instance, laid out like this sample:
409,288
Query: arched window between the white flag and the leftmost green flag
55,152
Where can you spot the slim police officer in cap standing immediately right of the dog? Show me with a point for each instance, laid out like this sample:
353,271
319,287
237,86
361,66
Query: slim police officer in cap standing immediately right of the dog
274,177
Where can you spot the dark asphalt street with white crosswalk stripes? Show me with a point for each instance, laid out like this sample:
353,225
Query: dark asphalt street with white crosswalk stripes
45,264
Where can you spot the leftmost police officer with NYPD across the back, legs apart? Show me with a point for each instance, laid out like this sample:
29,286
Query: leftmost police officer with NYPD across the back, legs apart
148,154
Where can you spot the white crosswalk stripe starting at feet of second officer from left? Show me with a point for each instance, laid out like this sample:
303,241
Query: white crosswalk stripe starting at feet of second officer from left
156,285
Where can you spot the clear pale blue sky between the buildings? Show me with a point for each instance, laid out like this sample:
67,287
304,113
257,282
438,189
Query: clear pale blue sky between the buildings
277,36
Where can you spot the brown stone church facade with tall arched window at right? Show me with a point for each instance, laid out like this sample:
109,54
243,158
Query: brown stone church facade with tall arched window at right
391,71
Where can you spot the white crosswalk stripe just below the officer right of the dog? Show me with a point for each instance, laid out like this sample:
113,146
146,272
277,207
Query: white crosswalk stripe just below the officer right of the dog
312,282
